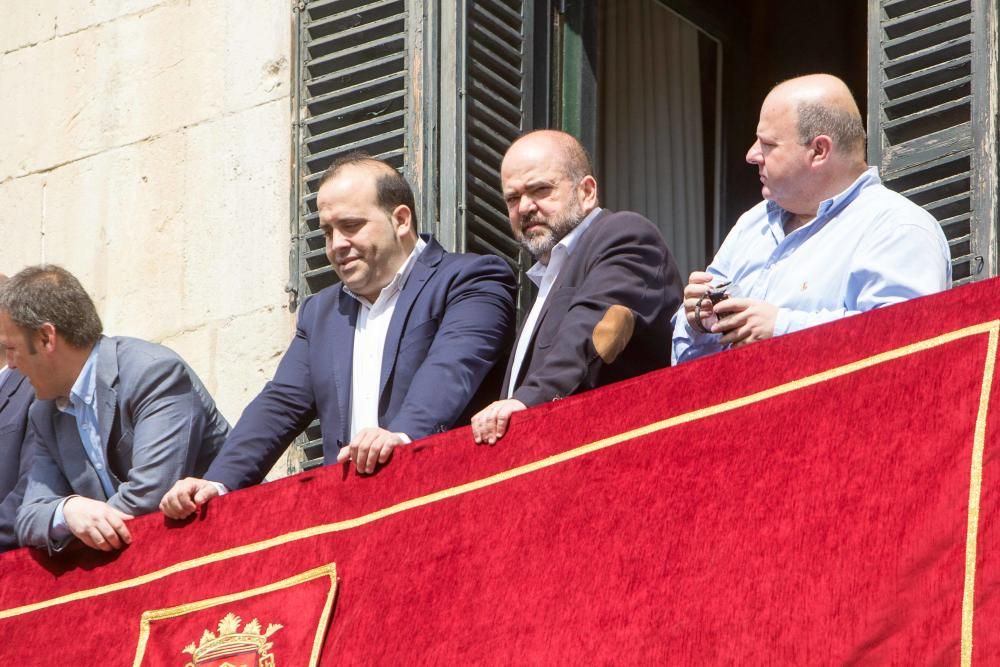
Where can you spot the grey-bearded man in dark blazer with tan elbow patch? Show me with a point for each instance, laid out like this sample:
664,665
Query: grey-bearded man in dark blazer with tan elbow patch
608,285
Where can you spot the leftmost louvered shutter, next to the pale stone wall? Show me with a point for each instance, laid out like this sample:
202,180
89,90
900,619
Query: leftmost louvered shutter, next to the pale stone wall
354,92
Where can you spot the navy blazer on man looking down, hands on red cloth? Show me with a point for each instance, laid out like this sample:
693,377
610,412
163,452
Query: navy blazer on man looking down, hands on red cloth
453,321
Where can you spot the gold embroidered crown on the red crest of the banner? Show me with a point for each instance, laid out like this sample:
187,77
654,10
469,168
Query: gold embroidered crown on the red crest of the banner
233,647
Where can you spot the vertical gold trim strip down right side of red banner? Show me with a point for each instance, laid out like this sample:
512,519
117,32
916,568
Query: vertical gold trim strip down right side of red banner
975,493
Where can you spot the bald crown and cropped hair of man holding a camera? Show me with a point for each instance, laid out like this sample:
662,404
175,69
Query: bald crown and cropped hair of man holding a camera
824,106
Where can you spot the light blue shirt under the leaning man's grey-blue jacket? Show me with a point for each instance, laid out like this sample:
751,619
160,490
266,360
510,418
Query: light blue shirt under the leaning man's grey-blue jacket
82,406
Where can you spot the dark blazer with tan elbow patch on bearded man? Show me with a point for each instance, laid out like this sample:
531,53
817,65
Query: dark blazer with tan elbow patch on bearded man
607,316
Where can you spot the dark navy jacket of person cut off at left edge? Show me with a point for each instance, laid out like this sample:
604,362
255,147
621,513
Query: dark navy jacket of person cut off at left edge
16,450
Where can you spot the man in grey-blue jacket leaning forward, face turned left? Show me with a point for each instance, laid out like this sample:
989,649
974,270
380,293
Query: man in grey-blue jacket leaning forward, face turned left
117,420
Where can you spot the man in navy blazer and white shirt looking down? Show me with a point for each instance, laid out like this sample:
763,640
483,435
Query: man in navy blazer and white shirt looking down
394,353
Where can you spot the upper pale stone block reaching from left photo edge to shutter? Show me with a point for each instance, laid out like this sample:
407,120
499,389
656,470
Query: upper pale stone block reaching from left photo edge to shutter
139,76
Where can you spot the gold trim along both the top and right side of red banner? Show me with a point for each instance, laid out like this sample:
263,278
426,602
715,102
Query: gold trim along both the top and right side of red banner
992,328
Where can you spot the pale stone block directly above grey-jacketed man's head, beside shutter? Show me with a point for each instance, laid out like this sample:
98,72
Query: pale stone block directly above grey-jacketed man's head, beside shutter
174,232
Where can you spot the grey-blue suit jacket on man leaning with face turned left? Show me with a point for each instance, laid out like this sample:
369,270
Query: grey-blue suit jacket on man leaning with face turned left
157,424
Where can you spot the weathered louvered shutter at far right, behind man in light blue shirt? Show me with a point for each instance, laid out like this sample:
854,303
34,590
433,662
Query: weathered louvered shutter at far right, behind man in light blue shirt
932,117
